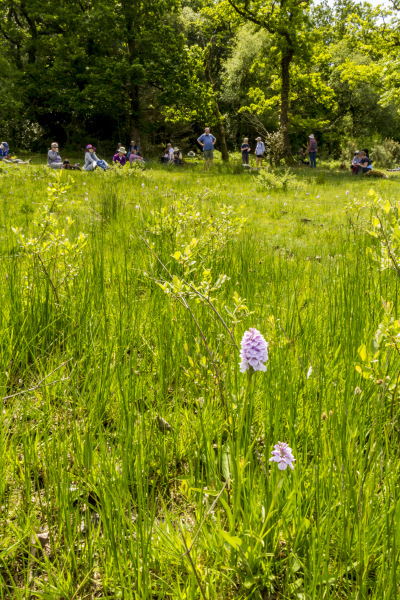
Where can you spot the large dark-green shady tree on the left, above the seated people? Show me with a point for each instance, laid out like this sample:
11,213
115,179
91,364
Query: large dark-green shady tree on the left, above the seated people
84,64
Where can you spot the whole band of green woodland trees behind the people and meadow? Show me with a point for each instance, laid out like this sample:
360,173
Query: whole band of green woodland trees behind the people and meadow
159,70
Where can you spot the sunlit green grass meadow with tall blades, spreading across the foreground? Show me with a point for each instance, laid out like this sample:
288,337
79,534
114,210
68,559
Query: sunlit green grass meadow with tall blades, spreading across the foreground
134,454
